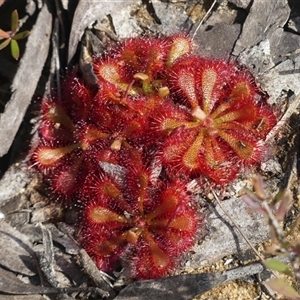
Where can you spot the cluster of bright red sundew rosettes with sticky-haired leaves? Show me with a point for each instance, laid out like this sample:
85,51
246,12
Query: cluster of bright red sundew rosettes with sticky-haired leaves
160,117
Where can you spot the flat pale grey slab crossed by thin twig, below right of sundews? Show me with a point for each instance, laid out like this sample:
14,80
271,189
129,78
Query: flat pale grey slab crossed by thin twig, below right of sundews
223,238
